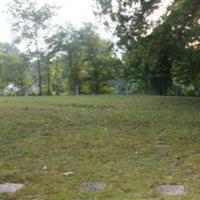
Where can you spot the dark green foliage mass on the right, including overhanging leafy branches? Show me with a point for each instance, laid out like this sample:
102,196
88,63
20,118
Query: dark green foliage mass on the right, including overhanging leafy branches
157,56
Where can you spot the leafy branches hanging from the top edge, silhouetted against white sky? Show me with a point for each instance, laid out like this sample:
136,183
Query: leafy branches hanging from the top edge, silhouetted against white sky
130,25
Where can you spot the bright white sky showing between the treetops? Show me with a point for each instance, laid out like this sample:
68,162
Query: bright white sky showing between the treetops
73,11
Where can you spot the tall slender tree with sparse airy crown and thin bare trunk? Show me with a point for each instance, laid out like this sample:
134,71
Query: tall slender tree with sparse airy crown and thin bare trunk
29,23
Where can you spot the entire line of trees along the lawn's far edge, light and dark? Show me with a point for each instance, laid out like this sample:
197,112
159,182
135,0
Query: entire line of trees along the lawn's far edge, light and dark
161,57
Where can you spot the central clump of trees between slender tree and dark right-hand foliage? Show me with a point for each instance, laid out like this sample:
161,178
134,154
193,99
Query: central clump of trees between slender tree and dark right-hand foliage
89,61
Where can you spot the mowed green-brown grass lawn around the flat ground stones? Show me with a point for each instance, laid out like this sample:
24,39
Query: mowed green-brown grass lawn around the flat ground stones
133,144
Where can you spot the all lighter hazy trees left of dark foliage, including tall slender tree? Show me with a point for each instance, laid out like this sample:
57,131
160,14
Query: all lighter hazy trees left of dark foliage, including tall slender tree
65,60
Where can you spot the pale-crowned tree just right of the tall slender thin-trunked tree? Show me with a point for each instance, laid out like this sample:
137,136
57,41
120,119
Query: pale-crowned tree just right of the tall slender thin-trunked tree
66,41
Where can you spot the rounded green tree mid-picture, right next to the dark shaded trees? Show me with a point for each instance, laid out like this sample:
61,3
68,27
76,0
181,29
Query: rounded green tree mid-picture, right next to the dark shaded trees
101,62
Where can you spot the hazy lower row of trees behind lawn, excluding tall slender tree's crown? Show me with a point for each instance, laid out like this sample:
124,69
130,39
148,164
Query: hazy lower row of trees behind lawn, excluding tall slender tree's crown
77,61
